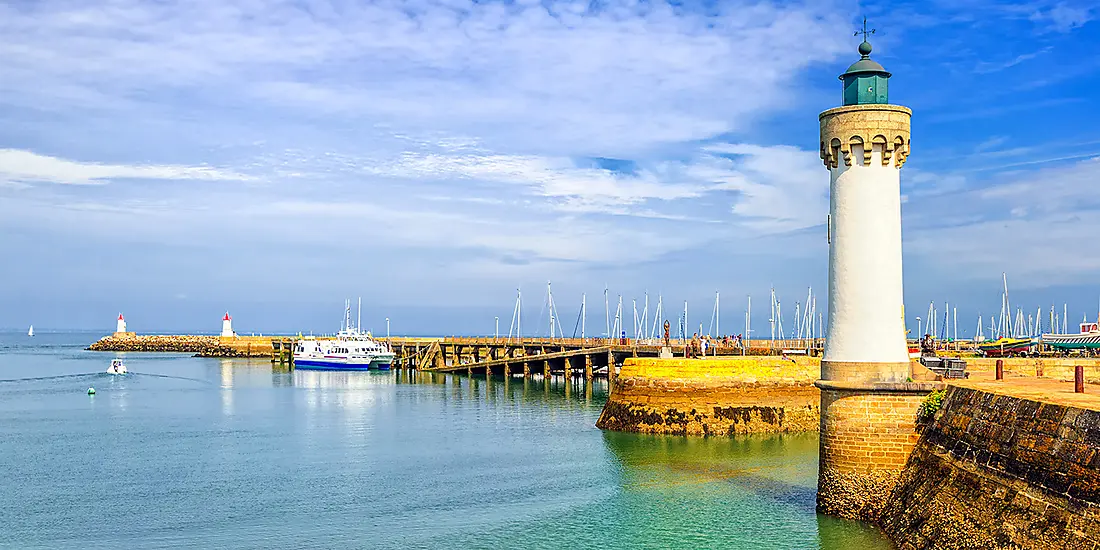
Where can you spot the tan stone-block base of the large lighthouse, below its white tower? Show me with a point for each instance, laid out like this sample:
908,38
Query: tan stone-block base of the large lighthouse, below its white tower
867,433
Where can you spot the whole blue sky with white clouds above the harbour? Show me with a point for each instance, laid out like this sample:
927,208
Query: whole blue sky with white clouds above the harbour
174,160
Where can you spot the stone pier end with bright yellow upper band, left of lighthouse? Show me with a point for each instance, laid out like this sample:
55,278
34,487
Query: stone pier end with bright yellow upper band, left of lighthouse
717,397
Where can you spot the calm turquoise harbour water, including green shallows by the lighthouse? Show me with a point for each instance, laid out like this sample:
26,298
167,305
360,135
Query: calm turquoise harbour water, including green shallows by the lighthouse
230,454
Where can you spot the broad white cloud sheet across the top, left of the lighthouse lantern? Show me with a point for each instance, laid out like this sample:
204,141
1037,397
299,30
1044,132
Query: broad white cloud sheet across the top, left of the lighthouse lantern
569,78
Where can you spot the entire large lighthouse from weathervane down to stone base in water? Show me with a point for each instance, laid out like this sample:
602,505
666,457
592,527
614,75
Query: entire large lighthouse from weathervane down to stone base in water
868,401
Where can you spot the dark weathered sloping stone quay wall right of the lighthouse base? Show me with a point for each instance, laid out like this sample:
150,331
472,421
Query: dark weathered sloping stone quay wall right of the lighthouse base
1002,471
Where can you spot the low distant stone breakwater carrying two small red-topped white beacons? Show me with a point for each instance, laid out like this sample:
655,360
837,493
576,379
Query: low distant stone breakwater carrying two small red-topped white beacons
207,347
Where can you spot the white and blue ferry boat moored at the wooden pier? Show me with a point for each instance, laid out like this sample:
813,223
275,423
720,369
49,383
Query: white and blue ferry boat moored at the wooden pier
351,350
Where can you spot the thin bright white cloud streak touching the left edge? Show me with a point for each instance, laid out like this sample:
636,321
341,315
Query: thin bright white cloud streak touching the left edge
24,168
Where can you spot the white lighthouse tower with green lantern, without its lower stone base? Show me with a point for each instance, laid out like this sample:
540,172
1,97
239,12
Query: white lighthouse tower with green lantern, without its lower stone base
864,146
